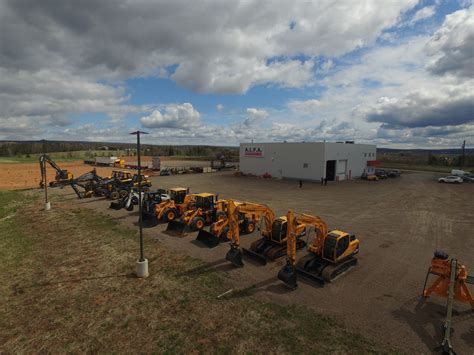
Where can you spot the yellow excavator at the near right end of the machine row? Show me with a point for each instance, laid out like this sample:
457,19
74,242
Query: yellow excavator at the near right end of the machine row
330,253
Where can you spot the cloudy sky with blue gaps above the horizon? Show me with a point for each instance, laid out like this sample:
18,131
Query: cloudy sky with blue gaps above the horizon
398,73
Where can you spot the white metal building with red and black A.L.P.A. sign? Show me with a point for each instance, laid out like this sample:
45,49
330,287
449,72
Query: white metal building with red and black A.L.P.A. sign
308,161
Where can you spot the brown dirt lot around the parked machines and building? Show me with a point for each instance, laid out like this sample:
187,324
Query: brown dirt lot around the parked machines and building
400,223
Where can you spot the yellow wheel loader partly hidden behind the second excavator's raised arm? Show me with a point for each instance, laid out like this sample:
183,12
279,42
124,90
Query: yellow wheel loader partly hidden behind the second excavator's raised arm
249,215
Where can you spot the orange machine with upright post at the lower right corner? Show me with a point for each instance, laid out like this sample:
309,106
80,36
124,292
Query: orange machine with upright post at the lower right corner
451,283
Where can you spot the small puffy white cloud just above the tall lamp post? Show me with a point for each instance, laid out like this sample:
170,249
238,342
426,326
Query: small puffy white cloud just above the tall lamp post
176,116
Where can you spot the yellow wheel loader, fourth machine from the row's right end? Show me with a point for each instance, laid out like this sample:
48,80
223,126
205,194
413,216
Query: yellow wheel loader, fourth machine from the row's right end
206,209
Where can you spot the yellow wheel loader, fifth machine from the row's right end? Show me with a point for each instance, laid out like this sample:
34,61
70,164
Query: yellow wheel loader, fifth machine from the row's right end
180,201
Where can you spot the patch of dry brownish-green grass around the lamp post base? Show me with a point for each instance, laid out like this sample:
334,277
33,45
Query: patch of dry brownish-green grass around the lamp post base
72,289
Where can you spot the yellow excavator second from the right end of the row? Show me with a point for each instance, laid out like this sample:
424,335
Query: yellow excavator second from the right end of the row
273,242
